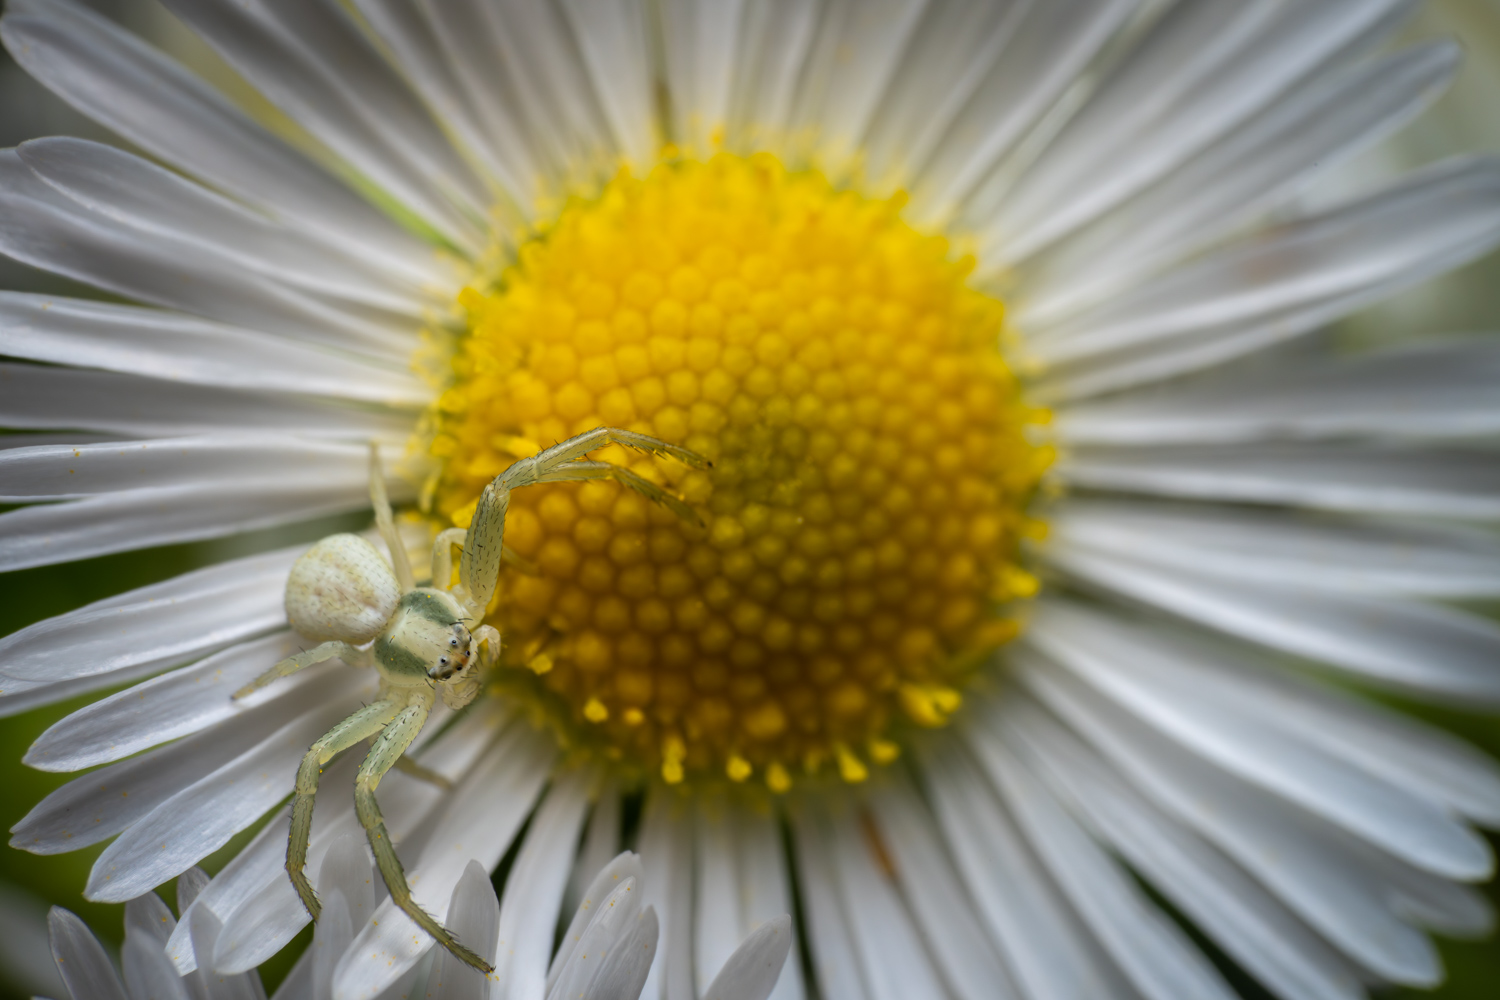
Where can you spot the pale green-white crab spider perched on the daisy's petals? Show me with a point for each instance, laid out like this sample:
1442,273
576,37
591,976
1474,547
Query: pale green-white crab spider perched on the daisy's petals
371,614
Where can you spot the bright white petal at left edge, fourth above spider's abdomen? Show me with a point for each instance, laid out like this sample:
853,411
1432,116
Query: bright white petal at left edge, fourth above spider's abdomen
184,349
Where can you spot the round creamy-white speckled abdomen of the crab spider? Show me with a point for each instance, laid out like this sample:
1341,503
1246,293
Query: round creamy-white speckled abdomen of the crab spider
341,590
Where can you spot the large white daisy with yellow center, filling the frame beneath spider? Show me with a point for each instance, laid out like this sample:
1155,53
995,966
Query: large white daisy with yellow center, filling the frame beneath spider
1048,554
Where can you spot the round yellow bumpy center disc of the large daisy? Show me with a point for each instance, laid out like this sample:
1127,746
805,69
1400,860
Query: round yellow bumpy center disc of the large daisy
869,484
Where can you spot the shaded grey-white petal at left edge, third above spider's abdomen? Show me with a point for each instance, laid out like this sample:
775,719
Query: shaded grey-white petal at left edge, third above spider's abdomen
35,397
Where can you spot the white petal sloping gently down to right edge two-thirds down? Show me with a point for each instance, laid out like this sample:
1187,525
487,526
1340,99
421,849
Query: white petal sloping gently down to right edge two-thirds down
1420,648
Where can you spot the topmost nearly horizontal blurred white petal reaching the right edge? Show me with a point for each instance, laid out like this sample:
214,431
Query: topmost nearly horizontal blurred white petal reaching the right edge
1433,389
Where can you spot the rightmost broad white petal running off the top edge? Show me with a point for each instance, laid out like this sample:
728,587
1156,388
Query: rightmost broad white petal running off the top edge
1202,73
